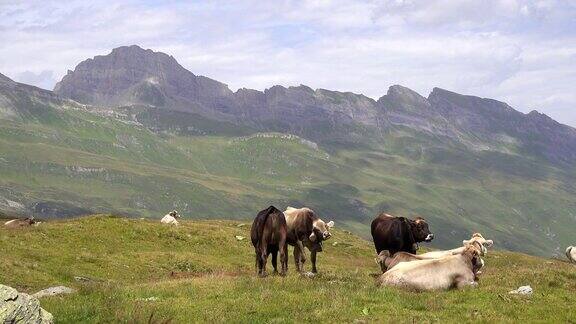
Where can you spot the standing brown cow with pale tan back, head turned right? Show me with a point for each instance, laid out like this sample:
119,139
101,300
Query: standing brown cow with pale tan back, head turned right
305,229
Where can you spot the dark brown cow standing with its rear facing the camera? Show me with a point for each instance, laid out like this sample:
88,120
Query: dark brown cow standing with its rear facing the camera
268,236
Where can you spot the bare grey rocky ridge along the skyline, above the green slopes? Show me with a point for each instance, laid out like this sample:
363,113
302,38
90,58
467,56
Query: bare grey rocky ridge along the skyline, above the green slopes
133,76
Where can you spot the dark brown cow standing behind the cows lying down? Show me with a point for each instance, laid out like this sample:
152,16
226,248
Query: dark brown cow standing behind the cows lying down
399,234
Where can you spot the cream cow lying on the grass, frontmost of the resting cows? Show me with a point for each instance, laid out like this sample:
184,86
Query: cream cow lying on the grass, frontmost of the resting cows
453,271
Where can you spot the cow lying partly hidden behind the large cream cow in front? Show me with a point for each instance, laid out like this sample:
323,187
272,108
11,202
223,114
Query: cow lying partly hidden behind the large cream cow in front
387,261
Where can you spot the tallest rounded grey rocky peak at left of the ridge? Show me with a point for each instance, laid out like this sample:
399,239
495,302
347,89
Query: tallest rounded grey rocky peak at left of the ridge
132,75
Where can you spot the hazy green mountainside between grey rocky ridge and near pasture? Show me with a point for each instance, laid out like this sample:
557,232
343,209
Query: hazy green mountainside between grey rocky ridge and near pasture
79,160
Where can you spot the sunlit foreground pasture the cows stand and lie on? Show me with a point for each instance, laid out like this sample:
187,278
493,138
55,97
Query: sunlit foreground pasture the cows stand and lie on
133,260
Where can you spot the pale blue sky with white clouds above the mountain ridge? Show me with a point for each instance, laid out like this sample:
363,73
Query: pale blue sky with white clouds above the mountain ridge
522,52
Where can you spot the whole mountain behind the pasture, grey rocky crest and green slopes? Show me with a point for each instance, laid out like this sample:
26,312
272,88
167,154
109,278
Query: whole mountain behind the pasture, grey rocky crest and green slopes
135,133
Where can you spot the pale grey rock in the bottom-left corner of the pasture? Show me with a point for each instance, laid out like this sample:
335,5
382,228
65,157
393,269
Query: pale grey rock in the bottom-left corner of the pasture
16,307
